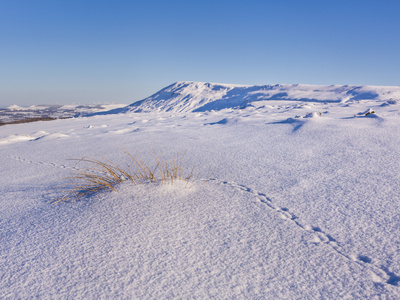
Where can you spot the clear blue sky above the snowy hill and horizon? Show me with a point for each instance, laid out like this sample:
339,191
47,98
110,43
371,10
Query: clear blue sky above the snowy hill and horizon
95,51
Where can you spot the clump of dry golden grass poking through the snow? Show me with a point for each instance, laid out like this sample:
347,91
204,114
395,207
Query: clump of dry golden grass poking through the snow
100,175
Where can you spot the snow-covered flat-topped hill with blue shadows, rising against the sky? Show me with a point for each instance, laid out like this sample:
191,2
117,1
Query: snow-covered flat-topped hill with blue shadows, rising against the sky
199,96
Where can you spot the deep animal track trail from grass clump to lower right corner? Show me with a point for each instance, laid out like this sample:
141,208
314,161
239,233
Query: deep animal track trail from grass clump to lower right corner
380,274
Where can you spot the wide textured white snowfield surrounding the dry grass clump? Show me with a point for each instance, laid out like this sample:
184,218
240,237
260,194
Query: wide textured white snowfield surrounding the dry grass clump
303,203
